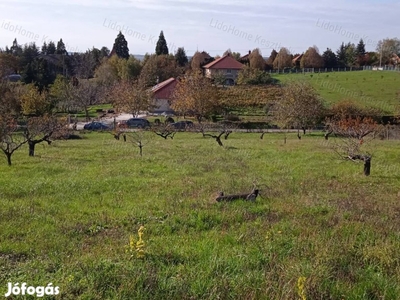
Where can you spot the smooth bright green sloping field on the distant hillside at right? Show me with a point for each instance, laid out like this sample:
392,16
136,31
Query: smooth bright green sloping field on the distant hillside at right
379,89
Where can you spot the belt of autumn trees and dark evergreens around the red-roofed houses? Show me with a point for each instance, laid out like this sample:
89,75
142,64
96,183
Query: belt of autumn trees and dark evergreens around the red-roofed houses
55,81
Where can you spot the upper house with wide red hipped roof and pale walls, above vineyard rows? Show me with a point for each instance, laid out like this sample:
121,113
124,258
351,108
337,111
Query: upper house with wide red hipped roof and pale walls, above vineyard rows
226,66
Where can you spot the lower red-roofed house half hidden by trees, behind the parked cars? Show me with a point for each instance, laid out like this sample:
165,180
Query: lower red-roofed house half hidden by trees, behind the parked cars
162,95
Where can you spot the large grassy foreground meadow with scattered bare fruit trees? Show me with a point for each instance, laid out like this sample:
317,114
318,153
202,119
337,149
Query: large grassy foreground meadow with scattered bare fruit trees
66,216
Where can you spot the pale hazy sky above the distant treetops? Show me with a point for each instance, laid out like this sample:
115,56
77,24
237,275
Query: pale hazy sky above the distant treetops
210,25
